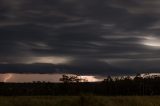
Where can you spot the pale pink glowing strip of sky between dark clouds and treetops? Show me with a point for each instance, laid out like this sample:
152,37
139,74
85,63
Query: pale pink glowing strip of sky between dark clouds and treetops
55,78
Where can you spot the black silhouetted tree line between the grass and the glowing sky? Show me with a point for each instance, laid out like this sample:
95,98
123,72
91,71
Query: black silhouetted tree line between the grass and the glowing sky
73,85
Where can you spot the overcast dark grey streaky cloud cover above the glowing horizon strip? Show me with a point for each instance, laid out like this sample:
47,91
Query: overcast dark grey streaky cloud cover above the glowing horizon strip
84,37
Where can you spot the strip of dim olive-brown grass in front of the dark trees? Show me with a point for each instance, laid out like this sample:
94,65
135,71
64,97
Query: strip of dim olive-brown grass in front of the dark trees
79,101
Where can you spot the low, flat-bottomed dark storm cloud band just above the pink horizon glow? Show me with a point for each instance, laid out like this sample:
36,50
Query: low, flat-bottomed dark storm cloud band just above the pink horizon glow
79,68
